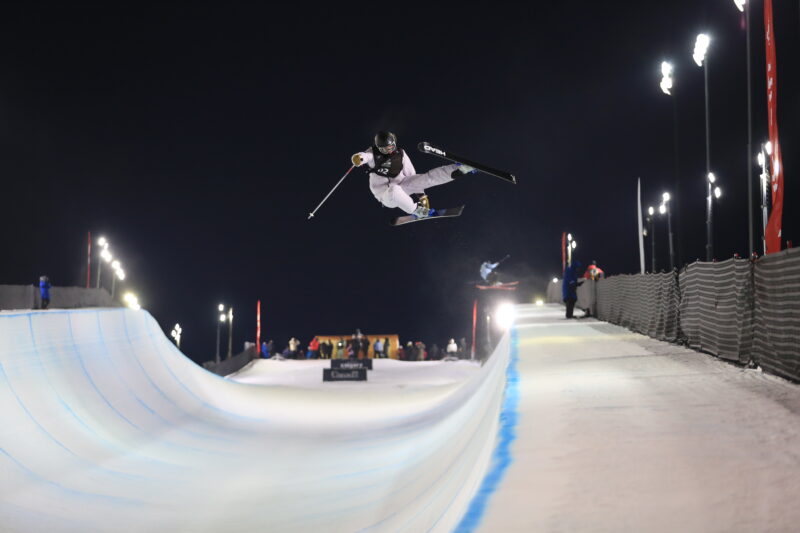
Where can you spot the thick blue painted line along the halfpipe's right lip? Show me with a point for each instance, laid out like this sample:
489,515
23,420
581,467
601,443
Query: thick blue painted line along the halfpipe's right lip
501,458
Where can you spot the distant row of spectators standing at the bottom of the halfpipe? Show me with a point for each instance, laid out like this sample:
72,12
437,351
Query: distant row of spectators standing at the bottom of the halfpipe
358,347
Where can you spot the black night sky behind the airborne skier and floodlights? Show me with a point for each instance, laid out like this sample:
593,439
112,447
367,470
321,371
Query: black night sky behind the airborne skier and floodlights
198,137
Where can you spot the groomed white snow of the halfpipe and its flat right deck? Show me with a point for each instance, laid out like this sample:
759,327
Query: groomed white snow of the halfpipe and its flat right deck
105,426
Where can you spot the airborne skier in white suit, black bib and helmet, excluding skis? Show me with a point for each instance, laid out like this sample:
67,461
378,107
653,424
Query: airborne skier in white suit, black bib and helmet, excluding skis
392,178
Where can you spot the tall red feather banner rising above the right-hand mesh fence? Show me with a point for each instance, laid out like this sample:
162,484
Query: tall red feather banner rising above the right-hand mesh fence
773,236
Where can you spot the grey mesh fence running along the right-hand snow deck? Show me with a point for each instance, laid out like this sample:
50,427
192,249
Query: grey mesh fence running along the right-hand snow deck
740,310
